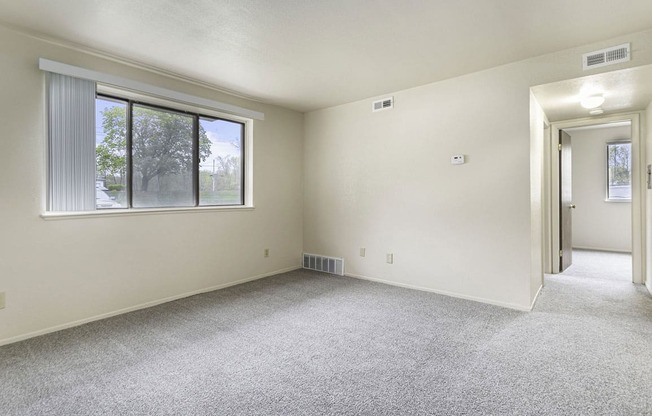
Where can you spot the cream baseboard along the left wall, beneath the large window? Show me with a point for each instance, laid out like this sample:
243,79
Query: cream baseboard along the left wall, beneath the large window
140,306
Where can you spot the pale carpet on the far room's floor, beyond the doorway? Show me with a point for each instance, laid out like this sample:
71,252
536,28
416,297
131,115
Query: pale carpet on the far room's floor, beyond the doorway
601,265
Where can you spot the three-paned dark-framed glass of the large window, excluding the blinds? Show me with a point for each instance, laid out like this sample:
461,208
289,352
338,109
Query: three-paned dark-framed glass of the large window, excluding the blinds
156,167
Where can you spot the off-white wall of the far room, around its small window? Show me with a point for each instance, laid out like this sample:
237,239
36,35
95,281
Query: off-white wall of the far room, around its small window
597,224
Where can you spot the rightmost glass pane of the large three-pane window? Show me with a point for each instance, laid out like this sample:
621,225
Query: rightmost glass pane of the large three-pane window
220,168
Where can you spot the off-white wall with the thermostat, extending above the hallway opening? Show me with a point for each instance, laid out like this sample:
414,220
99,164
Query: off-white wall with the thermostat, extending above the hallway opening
384,181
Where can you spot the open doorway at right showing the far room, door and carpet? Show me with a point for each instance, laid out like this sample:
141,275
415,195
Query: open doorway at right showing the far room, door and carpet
595,201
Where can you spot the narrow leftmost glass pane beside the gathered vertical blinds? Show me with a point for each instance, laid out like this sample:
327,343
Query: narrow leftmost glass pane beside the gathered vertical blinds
110,154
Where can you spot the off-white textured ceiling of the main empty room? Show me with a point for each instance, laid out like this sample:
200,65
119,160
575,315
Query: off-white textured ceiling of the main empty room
308,54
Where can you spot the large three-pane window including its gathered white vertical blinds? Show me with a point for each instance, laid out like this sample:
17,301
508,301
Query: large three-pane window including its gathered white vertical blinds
142,155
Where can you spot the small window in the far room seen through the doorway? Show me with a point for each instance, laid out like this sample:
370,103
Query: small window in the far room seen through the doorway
619,171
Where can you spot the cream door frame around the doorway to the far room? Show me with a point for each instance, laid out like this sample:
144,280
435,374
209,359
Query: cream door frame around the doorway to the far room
638,189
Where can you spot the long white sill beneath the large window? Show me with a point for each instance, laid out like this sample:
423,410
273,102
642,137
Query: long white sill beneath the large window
119,212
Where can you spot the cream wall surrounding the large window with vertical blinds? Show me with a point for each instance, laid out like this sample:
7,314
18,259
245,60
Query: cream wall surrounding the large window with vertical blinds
56,272
